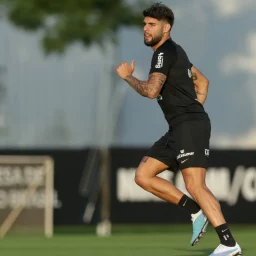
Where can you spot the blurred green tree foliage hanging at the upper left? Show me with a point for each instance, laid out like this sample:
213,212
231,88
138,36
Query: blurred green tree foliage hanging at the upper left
66,21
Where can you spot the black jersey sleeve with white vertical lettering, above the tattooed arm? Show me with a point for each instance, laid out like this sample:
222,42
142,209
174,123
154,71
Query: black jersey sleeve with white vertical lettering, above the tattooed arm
162,60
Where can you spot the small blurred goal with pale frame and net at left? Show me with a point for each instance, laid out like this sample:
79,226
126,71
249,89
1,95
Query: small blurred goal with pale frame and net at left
26,195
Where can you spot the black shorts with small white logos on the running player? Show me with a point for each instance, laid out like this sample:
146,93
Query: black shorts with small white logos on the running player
185,145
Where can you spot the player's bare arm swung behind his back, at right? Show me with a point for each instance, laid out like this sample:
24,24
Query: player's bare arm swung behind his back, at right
201,84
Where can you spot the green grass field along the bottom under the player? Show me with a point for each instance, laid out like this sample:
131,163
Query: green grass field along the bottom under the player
172,240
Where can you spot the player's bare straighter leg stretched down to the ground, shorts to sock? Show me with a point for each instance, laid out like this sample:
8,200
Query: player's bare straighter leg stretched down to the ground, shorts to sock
195,184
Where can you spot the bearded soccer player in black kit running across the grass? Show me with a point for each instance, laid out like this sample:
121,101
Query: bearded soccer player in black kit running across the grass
181,90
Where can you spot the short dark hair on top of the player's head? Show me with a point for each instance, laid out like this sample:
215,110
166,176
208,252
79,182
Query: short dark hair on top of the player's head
160,11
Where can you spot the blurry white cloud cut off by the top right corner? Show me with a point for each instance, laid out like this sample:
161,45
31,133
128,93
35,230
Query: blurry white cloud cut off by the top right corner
228,8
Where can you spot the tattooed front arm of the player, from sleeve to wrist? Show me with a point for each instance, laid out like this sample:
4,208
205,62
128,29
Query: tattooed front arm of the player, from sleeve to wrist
149,88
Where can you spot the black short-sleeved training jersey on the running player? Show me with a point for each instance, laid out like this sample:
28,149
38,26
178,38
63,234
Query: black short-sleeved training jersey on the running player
177,98
